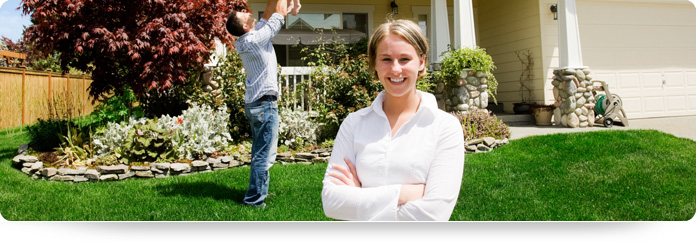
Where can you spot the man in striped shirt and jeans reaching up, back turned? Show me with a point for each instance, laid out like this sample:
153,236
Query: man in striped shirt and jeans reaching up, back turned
260,99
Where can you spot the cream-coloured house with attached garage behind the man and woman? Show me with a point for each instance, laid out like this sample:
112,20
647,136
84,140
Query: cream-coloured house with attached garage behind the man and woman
643,49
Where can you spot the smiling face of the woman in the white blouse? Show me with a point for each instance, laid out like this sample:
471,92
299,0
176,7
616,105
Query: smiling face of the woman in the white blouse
397,65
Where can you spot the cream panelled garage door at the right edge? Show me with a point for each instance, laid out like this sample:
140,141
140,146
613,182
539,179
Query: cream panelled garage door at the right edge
645,51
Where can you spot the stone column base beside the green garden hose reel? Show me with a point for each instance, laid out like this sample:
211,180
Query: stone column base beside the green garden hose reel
575,101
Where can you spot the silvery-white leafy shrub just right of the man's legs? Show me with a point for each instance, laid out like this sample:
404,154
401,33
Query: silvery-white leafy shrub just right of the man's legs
296,129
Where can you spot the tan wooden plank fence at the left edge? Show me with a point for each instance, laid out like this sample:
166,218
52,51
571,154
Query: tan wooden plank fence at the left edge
26,95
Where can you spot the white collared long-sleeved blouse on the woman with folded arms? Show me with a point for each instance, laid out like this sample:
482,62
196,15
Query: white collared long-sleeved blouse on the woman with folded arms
427,149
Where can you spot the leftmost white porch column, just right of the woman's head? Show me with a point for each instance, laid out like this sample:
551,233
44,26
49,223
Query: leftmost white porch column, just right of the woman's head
440,29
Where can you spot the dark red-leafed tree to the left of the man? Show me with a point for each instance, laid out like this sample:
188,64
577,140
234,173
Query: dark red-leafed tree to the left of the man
146,44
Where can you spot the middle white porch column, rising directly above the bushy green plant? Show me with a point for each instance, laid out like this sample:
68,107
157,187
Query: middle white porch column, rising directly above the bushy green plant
464,30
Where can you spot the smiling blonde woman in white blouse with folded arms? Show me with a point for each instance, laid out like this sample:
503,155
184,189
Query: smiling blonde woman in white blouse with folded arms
402,158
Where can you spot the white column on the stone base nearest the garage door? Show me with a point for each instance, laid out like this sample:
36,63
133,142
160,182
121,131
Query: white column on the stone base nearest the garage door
570,54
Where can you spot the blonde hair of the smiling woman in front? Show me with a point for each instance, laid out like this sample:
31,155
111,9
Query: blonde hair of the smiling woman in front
408,30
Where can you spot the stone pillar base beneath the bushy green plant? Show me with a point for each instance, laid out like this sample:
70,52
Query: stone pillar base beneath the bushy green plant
468,93
